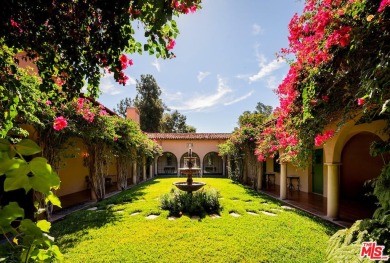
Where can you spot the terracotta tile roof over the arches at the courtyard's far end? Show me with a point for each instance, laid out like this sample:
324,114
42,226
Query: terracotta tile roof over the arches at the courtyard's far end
189,136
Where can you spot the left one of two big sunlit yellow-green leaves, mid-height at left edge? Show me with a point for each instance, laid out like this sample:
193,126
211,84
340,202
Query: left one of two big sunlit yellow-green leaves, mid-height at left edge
17,178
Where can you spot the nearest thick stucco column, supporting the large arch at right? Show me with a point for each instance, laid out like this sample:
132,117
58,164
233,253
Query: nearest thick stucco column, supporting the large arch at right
333,190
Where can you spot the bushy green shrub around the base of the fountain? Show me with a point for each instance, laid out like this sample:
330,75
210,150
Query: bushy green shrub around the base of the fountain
197,203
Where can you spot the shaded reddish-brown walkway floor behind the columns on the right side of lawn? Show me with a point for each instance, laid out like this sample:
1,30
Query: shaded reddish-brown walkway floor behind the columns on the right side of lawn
316,204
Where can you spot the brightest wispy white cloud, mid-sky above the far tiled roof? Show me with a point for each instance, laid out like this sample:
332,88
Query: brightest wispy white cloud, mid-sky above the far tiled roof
202,102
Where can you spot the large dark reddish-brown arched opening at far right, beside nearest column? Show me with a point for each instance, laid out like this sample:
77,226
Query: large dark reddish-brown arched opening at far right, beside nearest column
358,167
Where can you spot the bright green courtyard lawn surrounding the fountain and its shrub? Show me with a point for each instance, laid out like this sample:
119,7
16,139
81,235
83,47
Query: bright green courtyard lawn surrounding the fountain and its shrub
118,230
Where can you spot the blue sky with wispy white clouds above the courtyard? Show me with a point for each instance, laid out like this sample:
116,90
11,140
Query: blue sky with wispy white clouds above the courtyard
225,62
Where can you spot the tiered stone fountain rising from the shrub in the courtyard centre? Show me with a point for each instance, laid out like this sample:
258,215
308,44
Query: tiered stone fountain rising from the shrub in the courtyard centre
189,169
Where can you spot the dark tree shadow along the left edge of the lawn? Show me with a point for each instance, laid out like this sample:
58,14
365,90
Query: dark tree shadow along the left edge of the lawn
82,221
